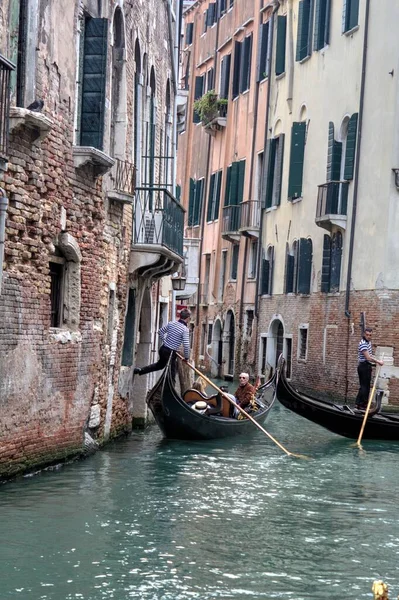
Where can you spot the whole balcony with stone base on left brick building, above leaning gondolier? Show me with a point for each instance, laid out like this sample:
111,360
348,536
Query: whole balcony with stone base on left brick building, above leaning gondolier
158,226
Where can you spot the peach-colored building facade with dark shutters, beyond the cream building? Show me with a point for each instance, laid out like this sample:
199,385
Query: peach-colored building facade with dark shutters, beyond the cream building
220,157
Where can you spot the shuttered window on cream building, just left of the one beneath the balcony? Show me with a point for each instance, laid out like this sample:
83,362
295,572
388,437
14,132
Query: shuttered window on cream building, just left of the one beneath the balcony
298,268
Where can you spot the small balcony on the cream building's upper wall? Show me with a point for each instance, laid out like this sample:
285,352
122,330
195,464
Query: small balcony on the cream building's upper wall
332,204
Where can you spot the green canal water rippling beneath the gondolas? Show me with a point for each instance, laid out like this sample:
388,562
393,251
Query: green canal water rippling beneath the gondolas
156,520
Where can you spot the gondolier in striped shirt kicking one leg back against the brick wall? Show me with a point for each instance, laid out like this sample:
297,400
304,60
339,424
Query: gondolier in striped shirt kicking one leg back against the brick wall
173,335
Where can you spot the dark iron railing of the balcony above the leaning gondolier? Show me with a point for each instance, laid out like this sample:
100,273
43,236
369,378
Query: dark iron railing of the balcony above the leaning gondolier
158,219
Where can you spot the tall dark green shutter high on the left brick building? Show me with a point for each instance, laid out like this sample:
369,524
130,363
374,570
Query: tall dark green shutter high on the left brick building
94,79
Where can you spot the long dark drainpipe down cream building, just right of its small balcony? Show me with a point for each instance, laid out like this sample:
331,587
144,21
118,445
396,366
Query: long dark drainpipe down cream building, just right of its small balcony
357,160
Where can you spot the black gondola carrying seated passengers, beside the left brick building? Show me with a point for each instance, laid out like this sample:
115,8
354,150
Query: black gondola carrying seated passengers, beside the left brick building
178,420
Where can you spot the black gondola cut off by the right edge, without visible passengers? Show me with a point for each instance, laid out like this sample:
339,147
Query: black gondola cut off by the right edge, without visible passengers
338,418
